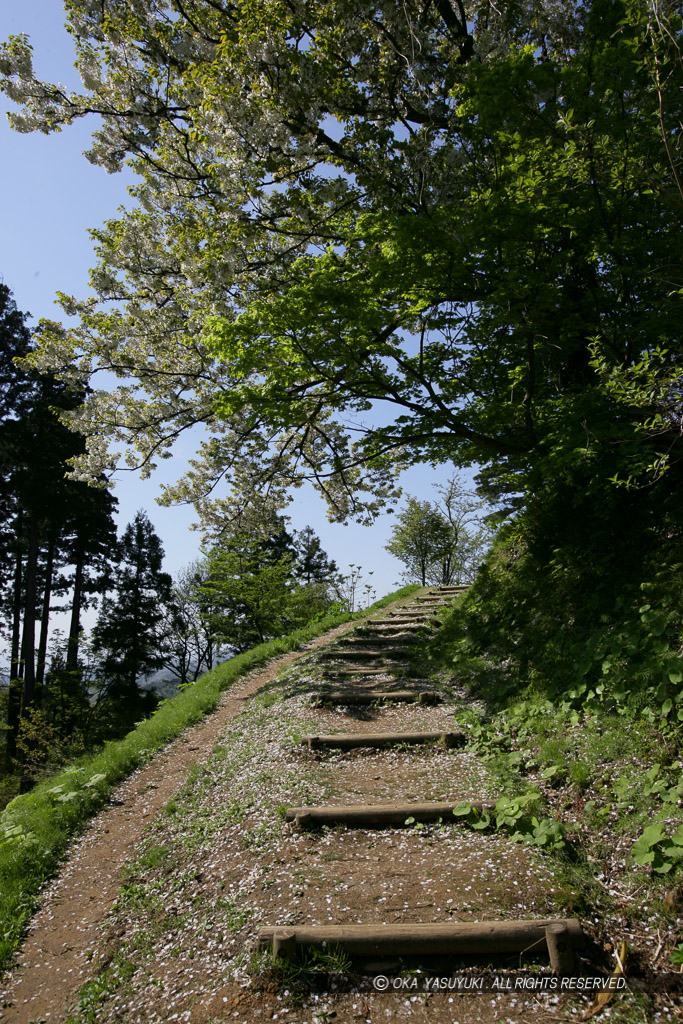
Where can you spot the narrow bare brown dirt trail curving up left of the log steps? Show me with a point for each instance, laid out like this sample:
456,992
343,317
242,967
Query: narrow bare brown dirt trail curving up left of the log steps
54,962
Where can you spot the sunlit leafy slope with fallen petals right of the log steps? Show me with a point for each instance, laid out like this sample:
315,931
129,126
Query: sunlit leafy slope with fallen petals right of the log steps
608,773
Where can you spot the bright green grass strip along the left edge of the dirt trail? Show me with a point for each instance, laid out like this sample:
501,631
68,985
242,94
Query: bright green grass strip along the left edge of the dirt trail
36,828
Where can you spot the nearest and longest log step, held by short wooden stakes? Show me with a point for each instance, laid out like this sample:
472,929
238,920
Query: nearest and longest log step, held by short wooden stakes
561,936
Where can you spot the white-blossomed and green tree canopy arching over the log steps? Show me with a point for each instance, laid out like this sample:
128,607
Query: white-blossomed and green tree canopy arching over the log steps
373,235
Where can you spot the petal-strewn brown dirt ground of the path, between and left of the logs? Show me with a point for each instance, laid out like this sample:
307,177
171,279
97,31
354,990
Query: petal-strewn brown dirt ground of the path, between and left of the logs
219,863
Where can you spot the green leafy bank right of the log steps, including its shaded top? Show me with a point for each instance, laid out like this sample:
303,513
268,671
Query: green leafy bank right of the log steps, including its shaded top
593,744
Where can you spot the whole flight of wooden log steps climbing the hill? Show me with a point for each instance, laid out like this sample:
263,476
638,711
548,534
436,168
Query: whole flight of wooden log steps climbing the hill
372,667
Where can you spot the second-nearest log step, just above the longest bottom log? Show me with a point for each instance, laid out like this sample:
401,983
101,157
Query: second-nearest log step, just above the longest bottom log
376,816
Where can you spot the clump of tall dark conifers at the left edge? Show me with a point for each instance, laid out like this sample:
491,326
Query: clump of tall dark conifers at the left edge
42,515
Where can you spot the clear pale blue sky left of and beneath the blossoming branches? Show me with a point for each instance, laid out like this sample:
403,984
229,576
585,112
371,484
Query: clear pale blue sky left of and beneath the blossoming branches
50,197
